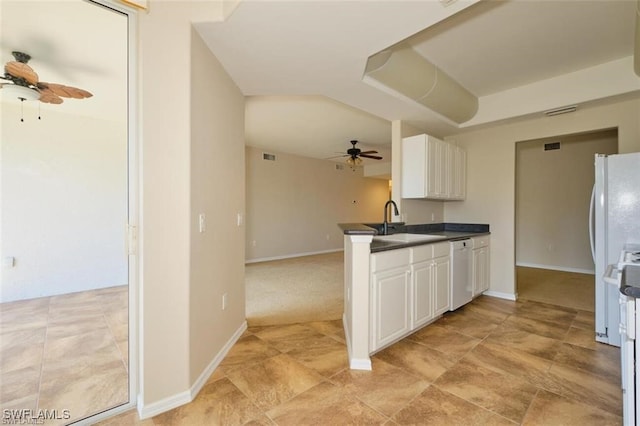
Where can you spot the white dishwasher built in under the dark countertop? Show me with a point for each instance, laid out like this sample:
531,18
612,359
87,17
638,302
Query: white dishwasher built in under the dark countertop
461,291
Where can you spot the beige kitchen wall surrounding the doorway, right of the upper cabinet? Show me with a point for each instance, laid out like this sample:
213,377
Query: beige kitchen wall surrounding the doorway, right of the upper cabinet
491,173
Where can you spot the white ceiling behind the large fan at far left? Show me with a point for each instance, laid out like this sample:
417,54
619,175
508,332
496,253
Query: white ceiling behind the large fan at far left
74,43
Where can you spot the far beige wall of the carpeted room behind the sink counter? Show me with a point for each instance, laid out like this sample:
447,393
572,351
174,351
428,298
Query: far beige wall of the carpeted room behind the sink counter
294,204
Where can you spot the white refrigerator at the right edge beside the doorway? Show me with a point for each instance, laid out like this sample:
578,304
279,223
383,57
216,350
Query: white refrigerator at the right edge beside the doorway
614,221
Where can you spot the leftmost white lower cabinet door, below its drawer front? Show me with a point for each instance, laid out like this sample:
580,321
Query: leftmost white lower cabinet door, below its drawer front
390,313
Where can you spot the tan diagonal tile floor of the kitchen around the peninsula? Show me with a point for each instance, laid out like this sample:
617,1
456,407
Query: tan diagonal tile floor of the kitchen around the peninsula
492,362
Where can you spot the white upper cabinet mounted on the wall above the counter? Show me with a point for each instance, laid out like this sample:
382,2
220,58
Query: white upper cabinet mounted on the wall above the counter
433,169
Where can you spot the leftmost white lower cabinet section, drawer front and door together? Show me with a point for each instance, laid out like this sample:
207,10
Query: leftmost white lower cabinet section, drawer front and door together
390,297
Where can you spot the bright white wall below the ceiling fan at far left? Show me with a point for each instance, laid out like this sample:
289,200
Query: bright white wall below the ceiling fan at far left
64,203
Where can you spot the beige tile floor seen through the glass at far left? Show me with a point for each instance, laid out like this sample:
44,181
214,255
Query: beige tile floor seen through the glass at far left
67,352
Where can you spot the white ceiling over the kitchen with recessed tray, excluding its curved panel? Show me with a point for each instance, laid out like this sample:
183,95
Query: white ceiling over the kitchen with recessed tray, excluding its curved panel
293,49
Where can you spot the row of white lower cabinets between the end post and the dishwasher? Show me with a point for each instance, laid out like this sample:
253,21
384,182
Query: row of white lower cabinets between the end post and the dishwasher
409,288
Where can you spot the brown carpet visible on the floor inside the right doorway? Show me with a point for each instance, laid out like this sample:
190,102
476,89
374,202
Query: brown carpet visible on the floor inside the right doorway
568,289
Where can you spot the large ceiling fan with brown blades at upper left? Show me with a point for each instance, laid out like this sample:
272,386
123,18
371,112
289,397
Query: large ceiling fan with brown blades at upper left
25,81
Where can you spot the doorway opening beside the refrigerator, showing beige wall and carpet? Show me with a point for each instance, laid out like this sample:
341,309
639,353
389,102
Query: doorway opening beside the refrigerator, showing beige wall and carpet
554,178
